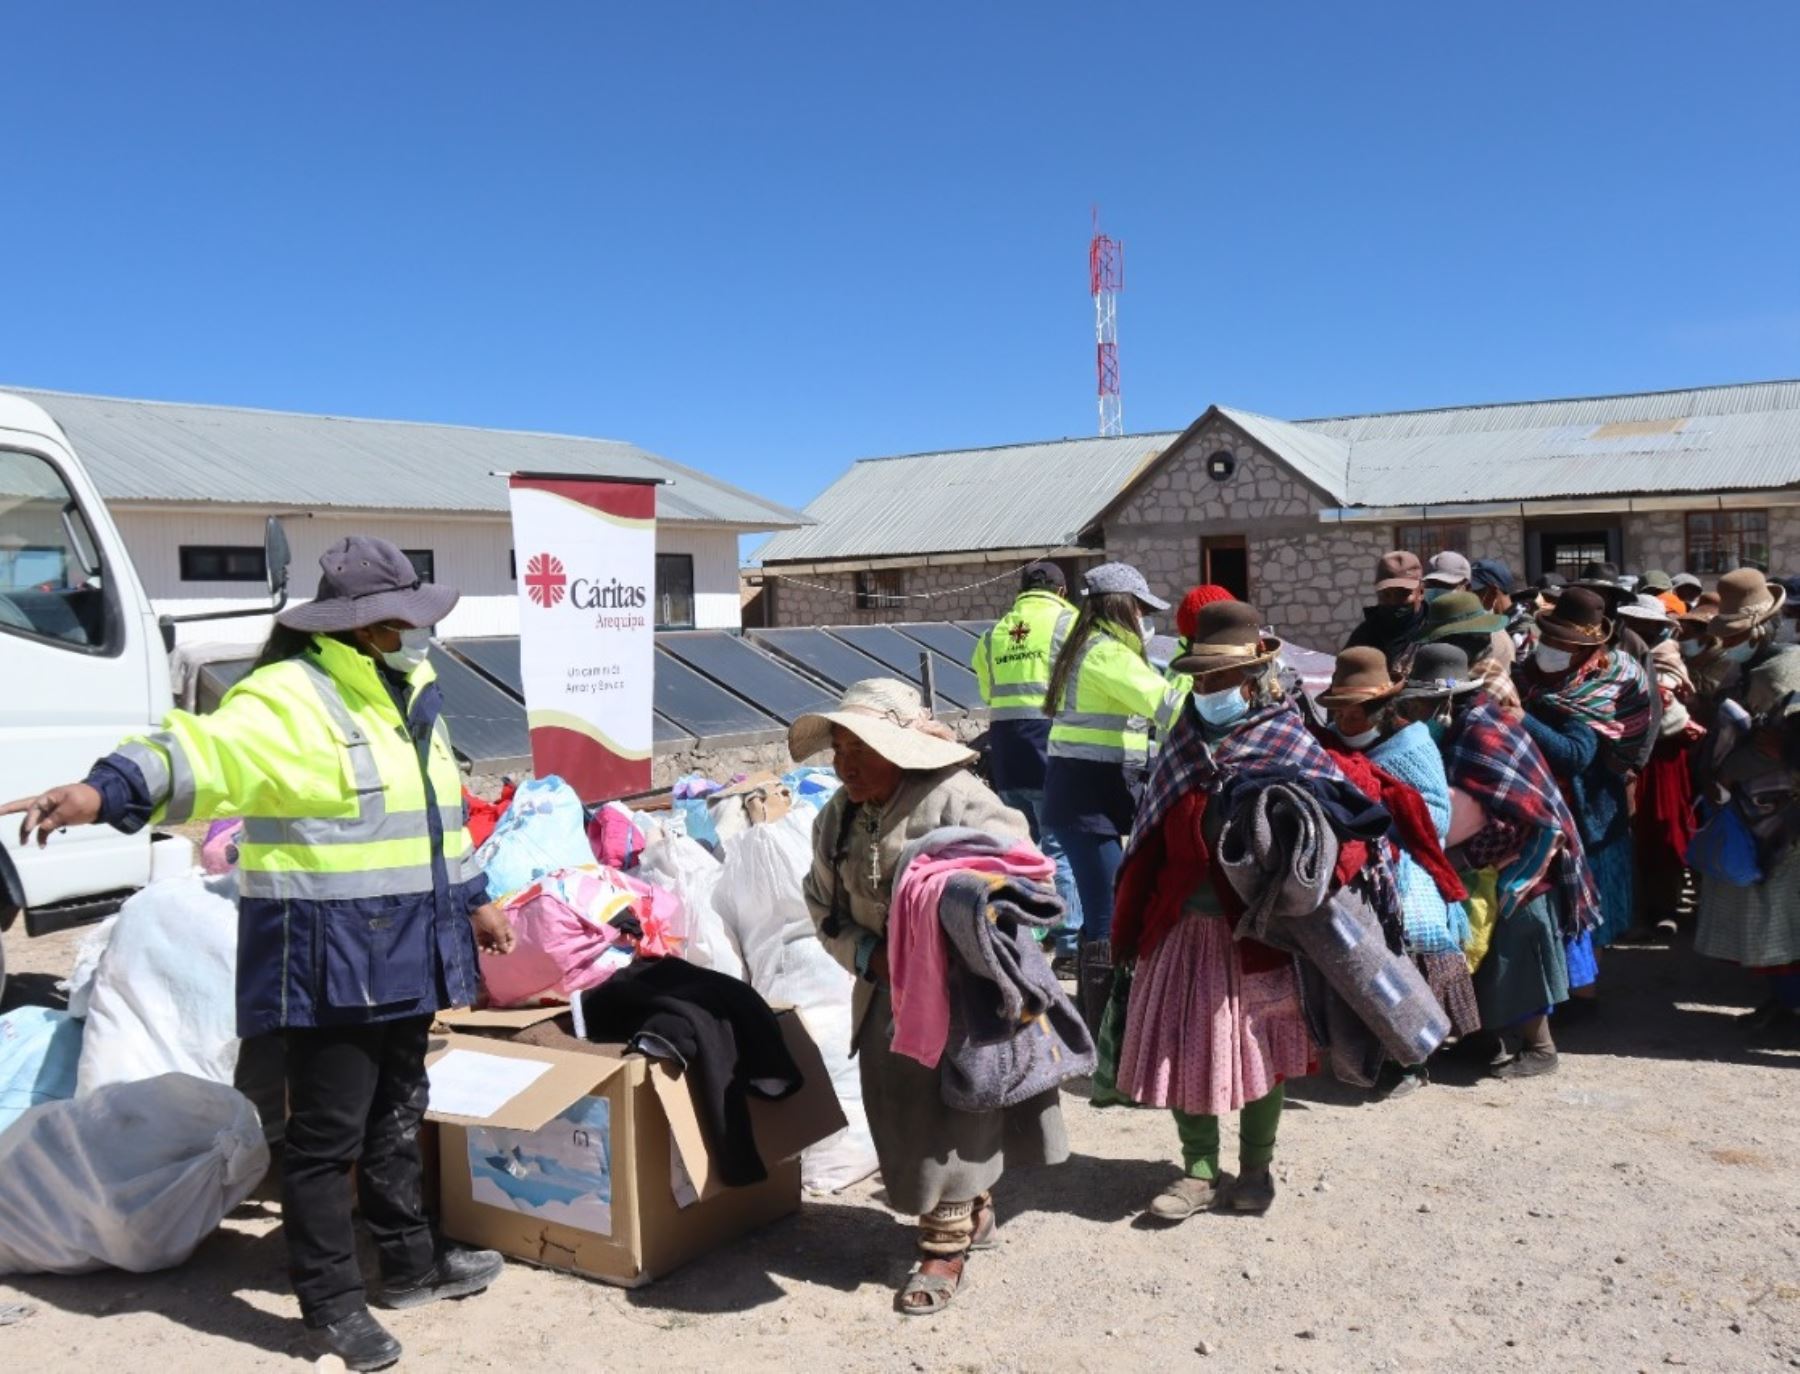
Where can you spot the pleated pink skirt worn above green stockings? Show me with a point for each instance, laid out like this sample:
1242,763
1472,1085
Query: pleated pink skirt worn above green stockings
1201,1035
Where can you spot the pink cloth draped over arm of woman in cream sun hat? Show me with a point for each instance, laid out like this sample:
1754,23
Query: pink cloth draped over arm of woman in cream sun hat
919,955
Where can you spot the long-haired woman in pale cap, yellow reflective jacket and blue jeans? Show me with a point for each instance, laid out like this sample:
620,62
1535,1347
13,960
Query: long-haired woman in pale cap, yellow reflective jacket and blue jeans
1101,703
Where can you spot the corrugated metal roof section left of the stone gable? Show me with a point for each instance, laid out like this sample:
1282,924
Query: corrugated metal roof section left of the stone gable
1030,496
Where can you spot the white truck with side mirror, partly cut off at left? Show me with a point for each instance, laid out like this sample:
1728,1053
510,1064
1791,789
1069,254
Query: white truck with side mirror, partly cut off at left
84,664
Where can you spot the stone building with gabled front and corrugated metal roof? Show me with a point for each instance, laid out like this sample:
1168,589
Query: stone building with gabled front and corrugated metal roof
1295,514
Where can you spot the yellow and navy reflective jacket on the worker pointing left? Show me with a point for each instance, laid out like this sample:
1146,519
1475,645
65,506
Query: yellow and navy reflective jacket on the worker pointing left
355,860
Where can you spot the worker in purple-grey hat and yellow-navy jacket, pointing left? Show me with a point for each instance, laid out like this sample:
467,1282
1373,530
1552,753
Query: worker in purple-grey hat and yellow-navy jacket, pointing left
359,912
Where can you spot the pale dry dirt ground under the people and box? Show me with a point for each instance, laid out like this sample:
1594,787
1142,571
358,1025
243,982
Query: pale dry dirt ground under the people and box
1635,1213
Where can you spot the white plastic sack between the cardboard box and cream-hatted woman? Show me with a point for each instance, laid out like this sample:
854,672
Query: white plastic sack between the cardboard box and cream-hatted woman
764,905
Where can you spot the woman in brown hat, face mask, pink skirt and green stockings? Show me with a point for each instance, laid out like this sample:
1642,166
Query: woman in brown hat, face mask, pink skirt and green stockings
1214,1024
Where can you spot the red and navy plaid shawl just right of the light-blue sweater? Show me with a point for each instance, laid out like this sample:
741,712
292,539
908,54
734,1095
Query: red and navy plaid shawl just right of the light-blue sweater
1495,763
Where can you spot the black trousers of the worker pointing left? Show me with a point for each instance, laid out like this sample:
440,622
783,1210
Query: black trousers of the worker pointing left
355,1098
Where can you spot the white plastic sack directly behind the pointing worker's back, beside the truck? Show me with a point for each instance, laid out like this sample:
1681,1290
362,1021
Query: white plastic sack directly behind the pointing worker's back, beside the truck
165,999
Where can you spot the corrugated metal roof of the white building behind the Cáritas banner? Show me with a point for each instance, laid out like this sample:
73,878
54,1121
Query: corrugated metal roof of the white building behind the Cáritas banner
163,451
